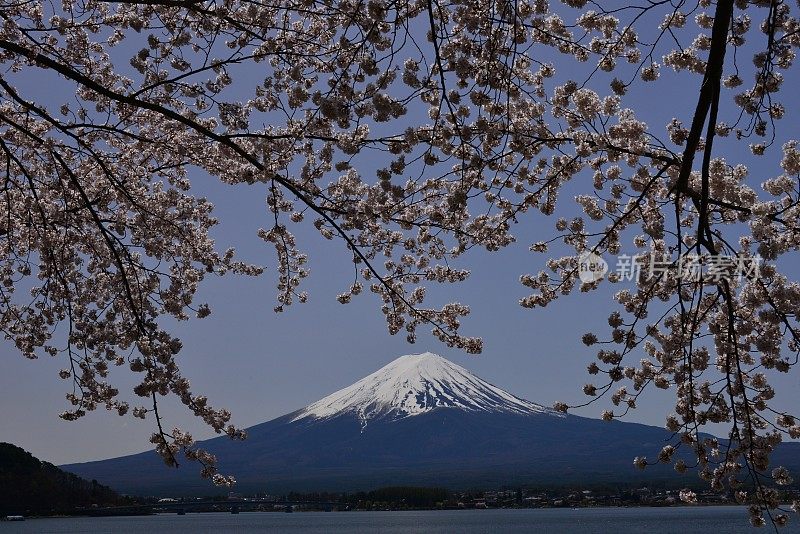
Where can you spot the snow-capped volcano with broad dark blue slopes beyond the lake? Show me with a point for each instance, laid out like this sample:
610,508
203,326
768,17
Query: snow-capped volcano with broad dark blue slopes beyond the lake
420,420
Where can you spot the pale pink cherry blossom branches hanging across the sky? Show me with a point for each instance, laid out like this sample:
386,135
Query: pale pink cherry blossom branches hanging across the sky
412,132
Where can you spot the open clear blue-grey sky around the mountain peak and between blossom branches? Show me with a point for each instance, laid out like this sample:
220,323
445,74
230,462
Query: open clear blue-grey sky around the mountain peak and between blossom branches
261,365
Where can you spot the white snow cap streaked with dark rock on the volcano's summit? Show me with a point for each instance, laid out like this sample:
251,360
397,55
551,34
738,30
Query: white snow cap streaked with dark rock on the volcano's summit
415,384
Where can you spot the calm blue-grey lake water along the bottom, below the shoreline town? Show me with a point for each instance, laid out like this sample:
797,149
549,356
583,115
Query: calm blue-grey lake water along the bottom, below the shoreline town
684,520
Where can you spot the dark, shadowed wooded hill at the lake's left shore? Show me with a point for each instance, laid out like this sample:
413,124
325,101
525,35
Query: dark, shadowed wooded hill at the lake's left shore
29,486
